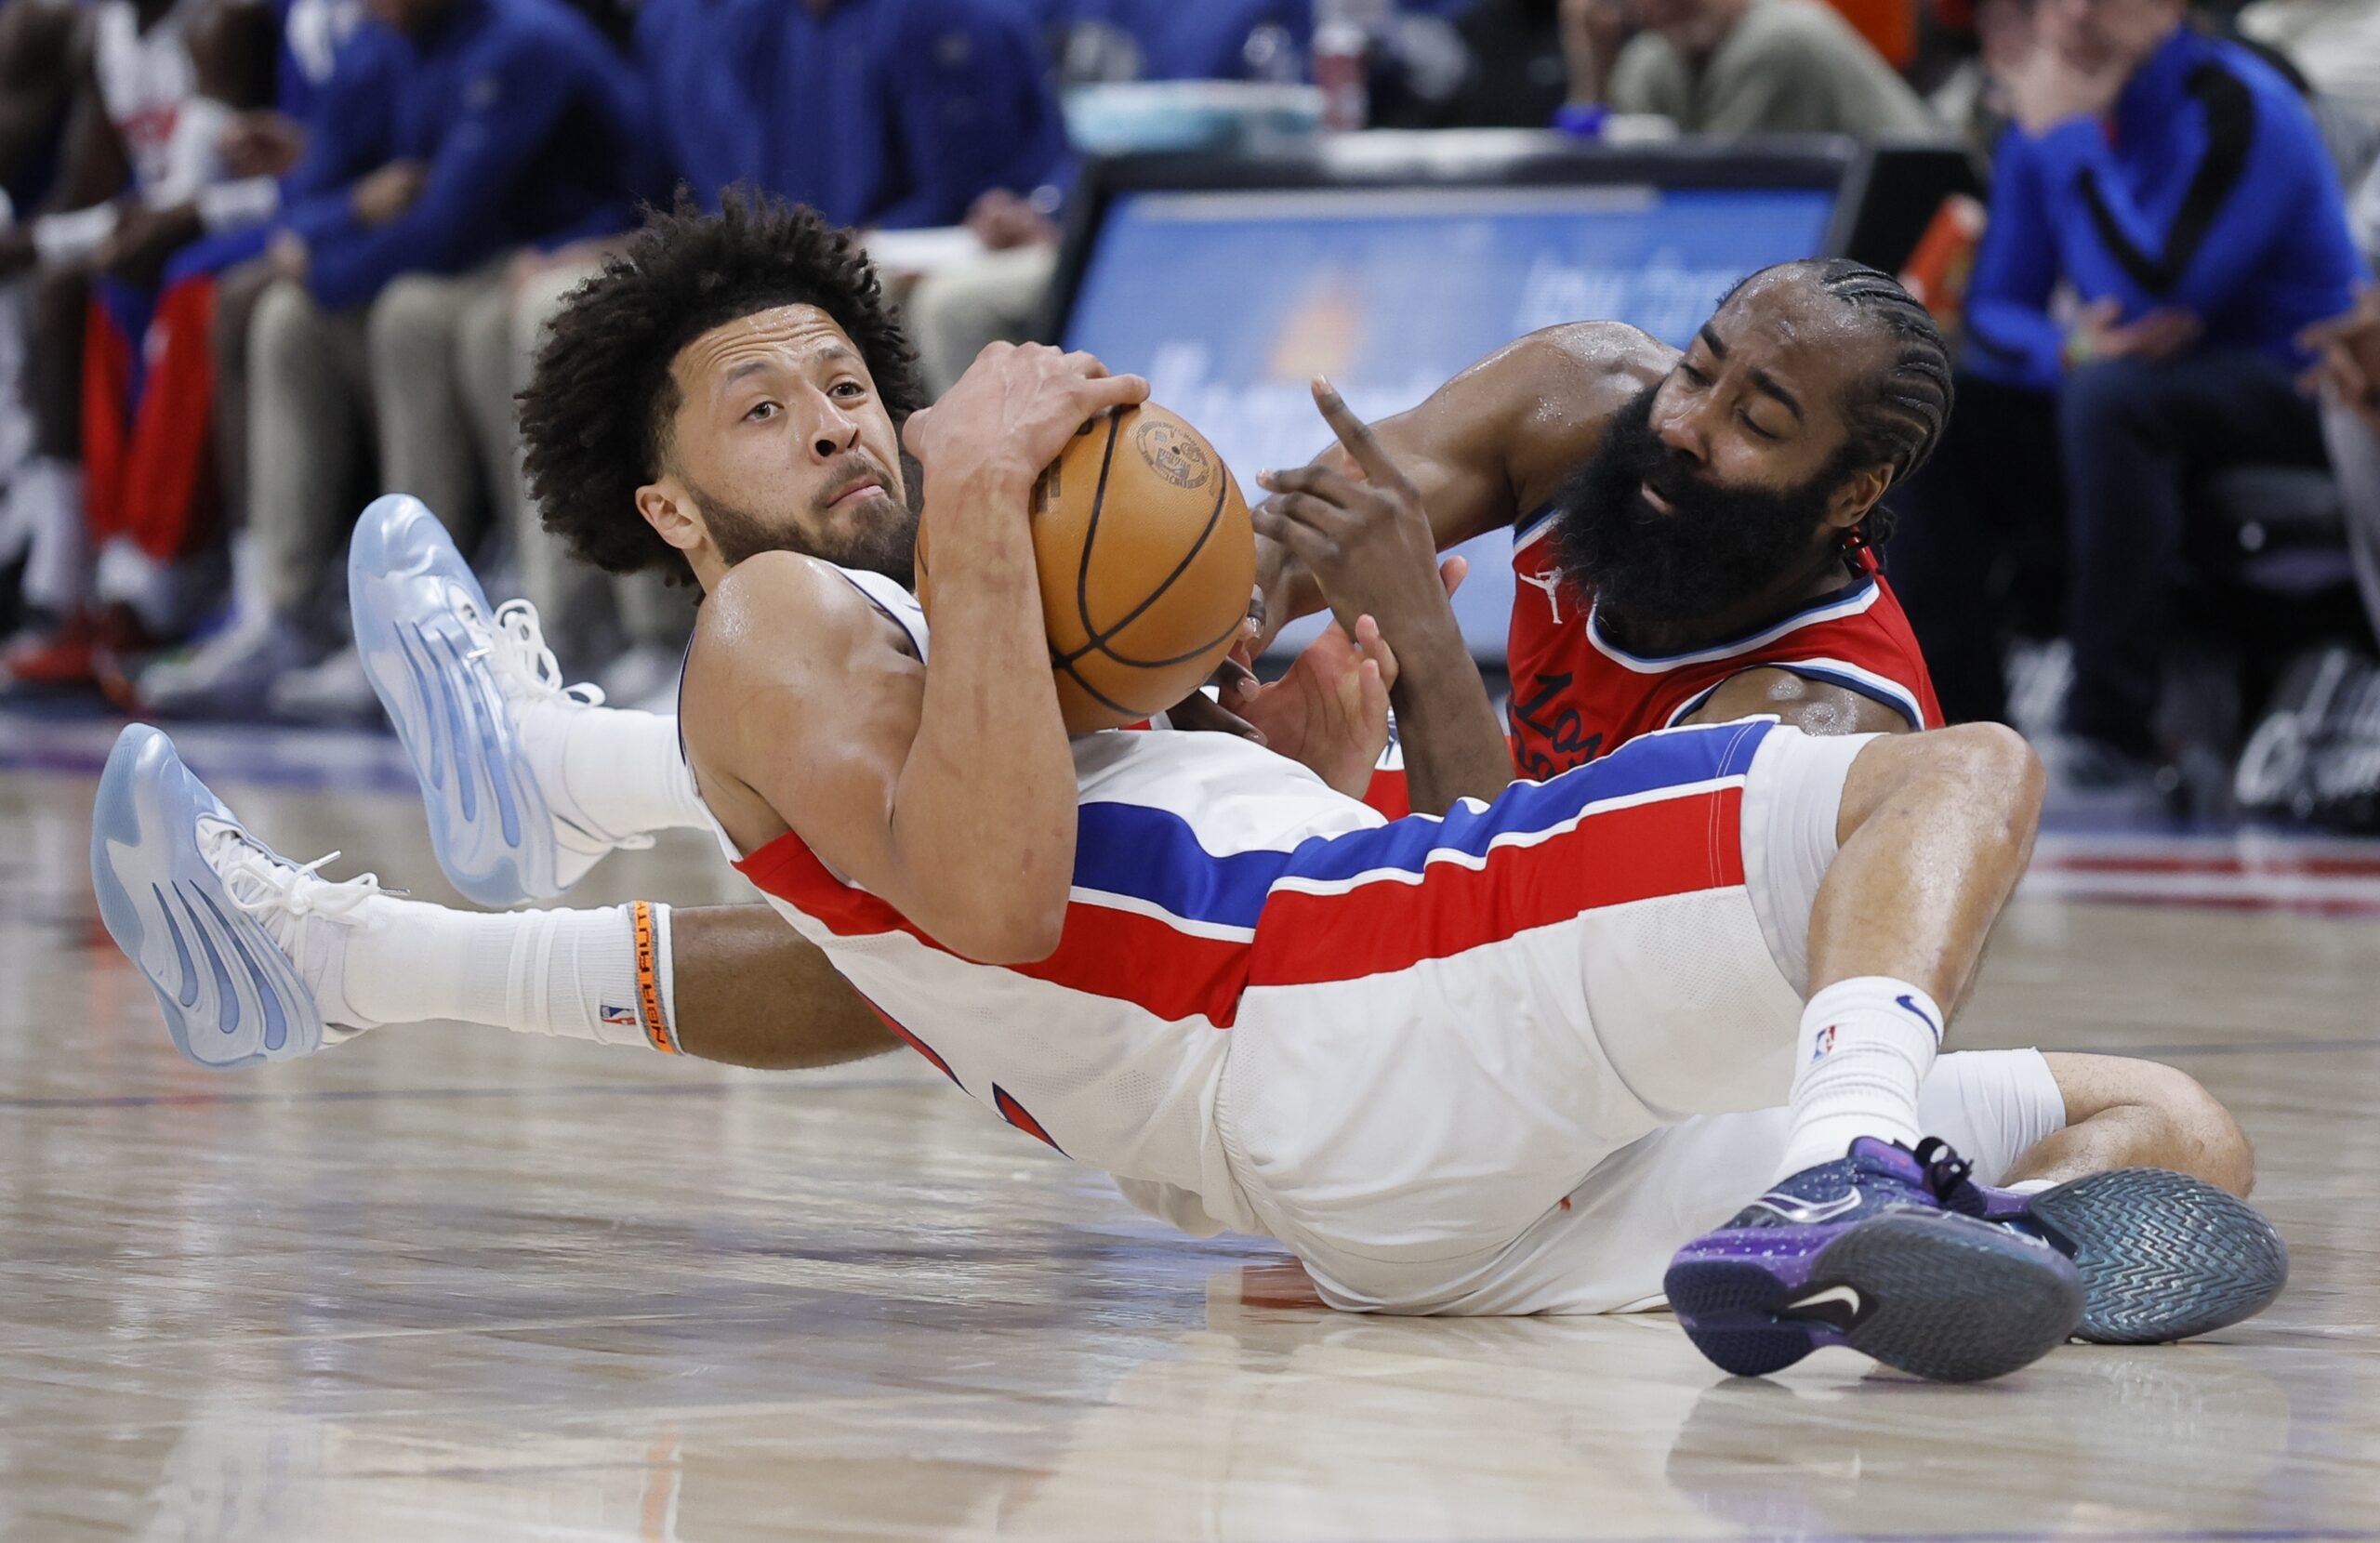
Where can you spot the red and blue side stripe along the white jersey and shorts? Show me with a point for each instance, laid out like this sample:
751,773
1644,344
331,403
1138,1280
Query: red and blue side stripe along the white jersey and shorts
1170,925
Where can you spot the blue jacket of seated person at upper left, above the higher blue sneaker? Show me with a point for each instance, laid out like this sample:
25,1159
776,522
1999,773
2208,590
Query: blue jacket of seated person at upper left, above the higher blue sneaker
532,132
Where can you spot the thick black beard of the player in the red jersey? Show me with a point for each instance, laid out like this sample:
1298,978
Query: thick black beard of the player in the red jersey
1710,554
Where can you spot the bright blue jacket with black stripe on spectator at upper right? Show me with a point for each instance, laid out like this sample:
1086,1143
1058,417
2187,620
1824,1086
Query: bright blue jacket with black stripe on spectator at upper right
2210,194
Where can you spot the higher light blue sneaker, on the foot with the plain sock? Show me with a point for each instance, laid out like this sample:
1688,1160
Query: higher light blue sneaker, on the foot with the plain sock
422,627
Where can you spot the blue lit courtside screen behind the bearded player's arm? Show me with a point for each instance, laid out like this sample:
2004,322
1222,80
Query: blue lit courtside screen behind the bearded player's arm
1234,299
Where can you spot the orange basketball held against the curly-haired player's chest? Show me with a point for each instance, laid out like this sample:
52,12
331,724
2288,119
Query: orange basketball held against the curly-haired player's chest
1146,566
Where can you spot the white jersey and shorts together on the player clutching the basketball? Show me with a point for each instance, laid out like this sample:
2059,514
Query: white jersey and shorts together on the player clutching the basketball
1498,1061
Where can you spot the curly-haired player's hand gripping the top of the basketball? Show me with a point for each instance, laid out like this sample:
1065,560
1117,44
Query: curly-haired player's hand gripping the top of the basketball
1015,411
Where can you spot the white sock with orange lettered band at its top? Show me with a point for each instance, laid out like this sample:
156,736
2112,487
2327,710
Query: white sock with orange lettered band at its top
596,975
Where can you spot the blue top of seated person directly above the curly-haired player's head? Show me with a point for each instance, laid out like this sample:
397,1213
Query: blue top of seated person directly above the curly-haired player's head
901,113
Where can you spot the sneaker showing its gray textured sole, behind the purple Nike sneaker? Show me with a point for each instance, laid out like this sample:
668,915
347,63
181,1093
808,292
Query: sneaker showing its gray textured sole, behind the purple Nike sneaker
2162,1256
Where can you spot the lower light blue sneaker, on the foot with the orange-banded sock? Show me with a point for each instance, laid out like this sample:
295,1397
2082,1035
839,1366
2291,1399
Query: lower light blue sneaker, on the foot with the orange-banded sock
227,992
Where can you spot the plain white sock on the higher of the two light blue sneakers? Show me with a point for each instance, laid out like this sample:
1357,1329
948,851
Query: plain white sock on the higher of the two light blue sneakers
613,770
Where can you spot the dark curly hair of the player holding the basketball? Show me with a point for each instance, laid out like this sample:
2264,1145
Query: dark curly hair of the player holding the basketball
601,399
